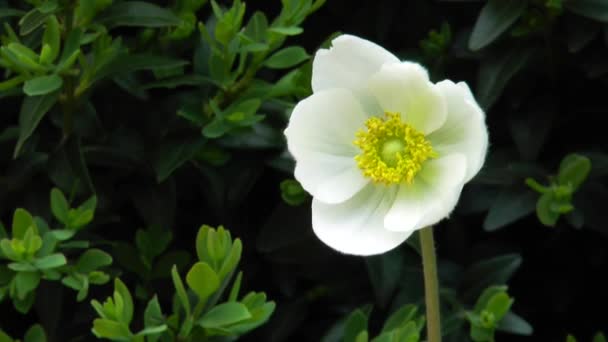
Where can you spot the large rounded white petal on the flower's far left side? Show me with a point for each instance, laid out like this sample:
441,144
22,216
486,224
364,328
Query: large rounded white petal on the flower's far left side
320,136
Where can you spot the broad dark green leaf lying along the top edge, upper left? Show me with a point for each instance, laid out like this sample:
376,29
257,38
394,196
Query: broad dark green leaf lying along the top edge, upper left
137,13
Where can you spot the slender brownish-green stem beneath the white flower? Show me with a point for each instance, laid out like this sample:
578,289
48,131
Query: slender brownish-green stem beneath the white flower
431,285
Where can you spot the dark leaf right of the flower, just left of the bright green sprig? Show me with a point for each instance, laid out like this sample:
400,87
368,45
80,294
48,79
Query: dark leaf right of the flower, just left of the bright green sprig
511,205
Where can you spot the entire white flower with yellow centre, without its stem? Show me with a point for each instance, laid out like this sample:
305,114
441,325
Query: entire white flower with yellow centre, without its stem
382,150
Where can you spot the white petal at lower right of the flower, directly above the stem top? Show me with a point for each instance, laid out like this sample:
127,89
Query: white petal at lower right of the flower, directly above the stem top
430,198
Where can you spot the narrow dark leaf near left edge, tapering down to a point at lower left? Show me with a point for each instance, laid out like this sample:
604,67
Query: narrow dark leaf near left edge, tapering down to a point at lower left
32,111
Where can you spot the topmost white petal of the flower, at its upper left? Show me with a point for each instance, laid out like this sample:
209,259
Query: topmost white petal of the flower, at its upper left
349,63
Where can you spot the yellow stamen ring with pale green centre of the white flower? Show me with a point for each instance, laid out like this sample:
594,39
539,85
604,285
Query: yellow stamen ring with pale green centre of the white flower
392,151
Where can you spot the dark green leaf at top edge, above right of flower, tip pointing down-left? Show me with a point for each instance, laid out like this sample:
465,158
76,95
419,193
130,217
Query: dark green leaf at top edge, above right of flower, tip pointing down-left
495,18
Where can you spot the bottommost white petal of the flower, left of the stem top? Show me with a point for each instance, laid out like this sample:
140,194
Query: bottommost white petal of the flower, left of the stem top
357,225
